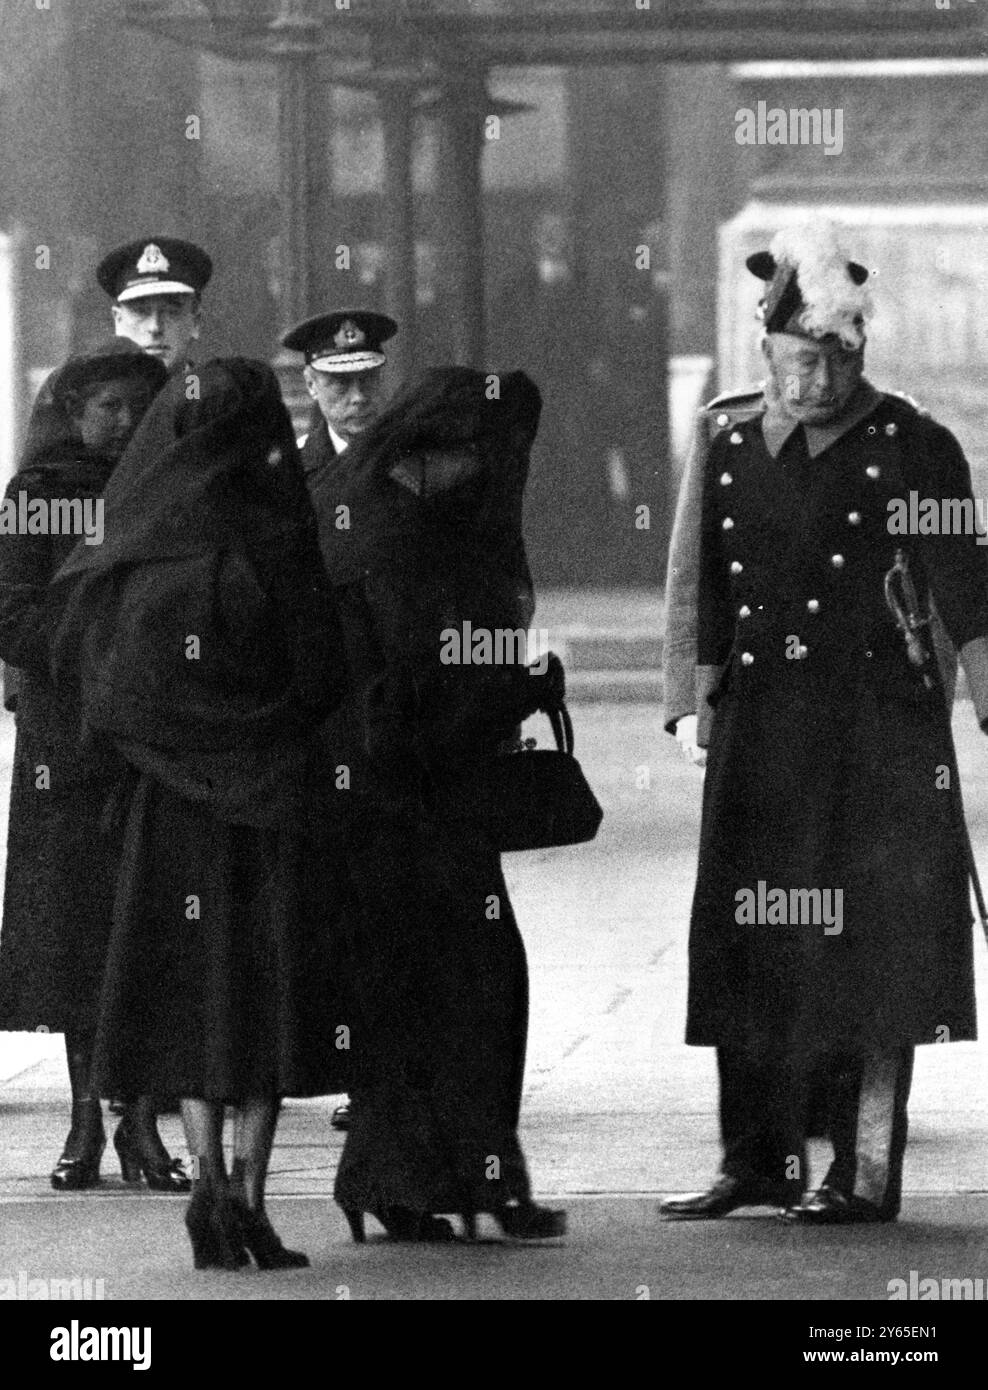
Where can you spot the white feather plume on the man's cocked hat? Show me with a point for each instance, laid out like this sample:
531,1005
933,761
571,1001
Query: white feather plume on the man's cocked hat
834,304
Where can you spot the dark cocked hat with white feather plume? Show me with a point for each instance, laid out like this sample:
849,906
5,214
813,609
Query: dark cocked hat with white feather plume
812,287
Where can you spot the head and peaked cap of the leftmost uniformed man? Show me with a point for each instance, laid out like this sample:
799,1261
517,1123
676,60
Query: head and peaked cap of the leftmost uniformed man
156,287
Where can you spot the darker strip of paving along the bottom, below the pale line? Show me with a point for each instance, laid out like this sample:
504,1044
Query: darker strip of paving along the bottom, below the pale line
616,1249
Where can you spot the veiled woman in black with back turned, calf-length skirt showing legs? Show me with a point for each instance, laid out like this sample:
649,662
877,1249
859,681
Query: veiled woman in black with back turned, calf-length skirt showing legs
204,639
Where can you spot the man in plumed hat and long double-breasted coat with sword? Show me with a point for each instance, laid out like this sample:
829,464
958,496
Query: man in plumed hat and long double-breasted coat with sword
832,925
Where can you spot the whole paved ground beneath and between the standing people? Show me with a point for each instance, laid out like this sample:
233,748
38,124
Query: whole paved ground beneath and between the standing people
618,1111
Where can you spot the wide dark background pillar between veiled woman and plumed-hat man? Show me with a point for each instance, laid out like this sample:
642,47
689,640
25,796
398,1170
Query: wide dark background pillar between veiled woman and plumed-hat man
622,149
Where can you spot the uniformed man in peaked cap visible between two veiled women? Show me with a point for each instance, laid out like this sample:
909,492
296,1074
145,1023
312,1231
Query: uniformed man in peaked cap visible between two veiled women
343,372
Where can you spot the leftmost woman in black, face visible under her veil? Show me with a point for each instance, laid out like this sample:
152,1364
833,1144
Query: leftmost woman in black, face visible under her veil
60,858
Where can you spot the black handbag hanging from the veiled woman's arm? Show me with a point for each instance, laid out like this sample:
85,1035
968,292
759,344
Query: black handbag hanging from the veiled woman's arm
540,799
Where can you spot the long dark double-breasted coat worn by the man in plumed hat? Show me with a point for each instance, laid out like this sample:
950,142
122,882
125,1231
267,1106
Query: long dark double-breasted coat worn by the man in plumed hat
828,767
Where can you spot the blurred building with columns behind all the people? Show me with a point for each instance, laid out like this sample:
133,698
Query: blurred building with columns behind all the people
541,184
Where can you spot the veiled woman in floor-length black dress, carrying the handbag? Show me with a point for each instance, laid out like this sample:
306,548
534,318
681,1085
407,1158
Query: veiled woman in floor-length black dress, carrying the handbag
423,536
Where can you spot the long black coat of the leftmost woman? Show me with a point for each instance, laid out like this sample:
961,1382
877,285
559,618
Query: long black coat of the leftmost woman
60,864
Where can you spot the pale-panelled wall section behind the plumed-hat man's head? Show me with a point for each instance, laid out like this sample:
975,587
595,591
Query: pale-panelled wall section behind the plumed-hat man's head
911,190
